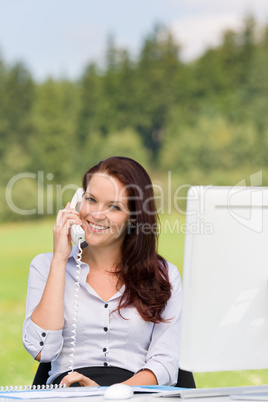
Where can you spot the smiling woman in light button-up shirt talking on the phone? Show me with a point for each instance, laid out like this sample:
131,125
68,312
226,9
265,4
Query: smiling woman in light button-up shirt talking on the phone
129,299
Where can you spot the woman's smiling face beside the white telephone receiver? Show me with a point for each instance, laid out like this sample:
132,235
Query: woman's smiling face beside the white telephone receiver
104,211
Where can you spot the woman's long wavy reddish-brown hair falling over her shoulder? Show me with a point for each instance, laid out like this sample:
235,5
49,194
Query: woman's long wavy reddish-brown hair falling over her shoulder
142,269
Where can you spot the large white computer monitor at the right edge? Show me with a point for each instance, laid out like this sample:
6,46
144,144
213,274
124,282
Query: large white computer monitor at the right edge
225,279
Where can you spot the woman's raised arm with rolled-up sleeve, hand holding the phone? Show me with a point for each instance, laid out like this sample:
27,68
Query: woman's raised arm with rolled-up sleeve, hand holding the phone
42,329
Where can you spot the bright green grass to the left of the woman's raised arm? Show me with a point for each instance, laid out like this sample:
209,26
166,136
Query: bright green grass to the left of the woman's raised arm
20,242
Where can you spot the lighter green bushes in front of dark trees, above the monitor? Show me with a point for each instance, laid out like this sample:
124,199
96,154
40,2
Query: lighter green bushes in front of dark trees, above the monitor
212,143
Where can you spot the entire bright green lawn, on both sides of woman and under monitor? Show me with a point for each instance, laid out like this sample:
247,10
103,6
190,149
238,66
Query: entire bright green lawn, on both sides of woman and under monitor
20,242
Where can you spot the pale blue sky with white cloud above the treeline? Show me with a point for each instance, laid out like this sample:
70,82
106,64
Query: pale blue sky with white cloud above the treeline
59,38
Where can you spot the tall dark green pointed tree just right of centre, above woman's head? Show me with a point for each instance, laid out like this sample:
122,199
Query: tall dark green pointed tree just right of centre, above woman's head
157,70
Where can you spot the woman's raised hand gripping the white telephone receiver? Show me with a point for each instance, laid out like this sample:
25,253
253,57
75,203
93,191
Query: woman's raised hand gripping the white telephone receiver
62,245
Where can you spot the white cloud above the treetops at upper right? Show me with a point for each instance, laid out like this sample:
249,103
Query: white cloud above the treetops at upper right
197,33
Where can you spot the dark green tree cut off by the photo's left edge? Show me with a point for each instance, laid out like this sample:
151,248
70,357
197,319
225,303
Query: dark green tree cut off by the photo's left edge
16,100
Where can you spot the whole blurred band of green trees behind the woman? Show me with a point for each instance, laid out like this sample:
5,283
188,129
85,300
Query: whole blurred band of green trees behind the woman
205,120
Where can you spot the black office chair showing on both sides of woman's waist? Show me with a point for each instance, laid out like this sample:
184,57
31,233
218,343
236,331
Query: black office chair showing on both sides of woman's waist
185,378
